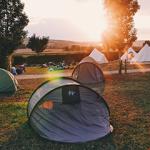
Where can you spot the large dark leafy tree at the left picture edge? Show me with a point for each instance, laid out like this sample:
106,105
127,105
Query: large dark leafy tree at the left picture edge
12,23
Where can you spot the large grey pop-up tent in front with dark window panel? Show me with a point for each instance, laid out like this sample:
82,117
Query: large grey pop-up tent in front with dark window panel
62,110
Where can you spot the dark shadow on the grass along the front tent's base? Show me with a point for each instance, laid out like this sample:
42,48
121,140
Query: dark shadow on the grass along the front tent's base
25,138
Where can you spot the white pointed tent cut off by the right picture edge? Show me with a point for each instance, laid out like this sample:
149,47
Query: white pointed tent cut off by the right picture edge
142,56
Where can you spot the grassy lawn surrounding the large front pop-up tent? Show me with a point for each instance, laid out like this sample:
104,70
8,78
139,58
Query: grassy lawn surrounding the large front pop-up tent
128,97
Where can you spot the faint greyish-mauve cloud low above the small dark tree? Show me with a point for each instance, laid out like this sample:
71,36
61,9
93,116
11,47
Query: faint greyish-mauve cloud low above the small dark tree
56,29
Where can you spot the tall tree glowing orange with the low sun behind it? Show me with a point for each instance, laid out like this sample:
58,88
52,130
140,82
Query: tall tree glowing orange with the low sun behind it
120,32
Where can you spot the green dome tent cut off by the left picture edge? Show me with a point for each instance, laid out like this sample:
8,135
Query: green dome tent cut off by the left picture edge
8,83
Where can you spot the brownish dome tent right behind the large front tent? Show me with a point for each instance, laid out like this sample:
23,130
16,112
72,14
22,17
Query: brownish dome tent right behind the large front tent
89,73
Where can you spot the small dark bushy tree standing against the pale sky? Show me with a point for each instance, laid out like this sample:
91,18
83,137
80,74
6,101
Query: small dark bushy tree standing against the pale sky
37,44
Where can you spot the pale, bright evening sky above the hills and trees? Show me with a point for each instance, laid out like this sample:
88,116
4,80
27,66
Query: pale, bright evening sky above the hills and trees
77,20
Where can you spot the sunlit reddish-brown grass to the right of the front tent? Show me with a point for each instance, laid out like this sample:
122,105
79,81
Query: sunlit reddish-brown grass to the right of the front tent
130,108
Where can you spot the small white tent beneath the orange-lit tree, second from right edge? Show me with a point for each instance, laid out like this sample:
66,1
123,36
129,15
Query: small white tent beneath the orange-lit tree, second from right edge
128,55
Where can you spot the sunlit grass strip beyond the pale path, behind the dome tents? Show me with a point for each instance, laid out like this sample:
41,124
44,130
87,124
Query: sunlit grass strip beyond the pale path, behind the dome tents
105,67
